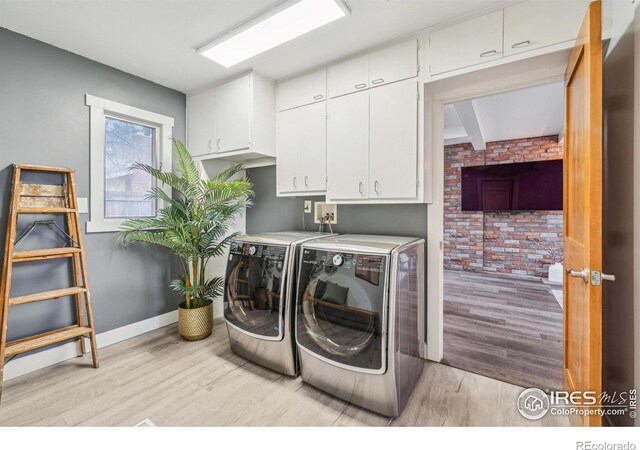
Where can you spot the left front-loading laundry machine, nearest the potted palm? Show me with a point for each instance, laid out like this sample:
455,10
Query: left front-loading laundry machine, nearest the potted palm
259,300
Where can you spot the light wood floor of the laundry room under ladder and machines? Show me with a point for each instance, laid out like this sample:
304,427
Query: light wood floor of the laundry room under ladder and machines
177,383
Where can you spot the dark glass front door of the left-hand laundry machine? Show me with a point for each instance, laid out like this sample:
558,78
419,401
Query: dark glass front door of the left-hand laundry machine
254,287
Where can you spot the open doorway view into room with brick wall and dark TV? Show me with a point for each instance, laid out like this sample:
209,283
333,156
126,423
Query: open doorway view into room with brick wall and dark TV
502,235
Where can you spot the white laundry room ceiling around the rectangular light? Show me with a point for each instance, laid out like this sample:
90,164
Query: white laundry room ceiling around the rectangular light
157,40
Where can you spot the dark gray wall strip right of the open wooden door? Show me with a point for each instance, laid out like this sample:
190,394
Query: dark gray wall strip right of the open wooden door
618,220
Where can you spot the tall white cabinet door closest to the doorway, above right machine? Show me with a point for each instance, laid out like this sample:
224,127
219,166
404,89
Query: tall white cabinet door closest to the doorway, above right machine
393,144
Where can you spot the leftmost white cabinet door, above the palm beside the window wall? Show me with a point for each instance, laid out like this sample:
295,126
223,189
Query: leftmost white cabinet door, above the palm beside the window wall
201,128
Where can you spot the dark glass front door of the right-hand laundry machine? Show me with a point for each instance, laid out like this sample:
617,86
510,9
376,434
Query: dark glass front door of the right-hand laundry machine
341,308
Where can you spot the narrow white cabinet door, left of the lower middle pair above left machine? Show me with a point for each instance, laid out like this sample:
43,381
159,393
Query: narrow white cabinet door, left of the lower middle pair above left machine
289,139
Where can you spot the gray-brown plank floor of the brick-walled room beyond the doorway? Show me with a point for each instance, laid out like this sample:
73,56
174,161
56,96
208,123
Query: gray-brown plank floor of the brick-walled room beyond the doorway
505,328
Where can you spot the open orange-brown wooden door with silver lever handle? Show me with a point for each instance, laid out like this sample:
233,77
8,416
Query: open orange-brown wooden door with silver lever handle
583,212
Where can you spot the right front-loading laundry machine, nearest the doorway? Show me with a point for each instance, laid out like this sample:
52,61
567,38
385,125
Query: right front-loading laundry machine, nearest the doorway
357,318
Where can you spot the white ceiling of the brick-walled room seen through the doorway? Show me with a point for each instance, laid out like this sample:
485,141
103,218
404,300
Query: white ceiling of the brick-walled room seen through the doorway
534,111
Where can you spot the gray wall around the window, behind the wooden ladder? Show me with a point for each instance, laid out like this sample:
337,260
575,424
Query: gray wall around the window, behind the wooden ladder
44,120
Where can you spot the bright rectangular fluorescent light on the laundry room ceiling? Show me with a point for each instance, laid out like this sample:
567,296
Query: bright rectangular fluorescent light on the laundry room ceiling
282,24
